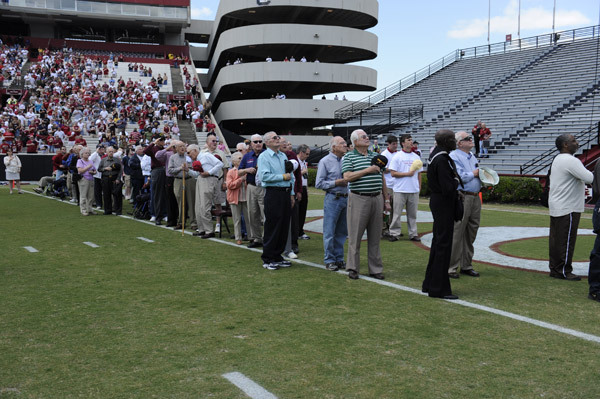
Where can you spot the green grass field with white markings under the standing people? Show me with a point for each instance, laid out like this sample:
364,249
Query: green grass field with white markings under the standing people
167,319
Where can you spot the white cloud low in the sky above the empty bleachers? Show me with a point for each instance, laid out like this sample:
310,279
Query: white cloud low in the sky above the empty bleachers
534,18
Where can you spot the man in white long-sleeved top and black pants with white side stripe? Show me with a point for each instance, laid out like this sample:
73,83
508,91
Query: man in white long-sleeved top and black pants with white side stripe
566,203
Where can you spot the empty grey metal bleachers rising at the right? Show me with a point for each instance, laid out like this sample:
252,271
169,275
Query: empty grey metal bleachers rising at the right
526,97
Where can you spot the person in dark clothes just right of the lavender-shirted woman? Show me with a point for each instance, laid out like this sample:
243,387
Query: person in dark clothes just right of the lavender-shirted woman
111,170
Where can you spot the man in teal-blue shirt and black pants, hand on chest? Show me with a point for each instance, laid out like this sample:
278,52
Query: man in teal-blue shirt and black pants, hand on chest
279,201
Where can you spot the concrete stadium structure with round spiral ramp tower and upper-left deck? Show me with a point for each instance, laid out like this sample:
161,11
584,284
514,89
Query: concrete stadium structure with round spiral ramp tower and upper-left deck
334,32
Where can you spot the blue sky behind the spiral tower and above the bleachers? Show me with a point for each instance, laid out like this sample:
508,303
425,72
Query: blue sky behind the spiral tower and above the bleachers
413,34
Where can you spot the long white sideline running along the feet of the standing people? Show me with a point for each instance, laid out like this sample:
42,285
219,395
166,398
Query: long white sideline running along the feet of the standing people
514,316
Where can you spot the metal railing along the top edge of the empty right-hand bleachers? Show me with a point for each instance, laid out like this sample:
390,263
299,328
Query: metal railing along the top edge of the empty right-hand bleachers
471,52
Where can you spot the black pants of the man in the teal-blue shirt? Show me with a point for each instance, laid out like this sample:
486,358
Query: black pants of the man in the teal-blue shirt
277,223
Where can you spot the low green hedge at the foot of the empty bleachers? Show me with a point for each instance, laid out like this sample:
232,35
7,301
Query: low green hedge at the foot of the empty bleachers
508,190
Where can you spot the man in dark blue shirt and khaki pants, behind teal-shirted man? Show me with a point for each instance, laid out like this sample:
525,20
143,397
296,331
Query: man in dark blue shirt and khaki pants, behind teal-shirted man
255,193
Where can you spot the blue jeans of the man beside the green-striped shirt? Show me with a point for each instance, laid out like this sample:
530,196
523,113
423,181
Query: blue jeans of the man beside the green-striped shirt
335,227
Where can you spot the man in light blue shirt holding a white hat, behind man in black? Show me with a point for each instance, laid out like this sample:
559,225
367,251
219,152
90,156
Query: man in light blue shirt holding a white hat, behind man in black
465,231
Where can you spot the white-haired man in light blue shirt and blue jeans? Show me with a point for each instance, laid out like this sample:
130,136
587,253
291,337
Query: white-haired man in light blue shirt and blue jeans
335,226
